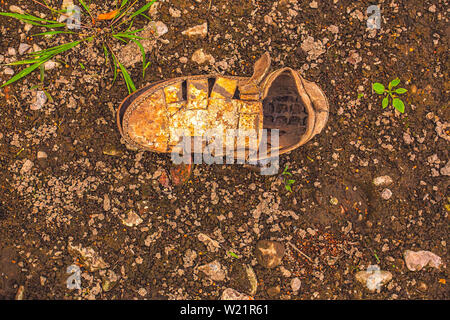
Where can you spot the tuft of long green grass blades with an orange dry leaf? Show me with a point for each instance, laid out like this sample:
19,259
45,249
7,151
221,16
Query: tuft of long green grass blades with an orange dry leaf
114,25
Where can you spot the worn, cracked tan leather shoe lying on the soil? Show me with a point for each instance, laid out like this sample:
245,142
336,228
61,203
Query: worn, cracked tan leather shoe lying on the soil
158,116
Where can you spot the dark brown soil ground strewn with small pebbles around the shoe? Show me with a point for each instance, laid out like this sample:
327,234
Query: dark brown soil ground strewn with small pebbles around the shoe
89,182
